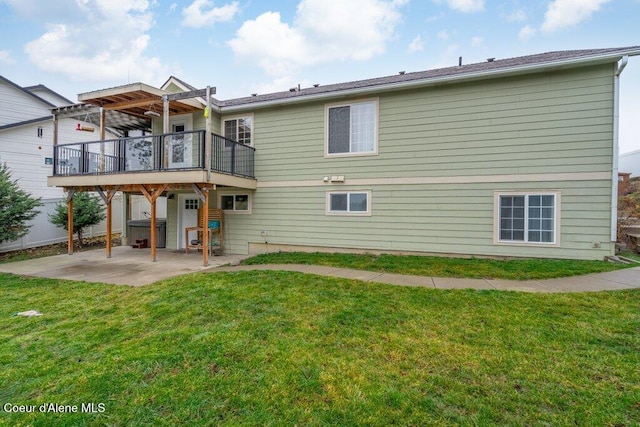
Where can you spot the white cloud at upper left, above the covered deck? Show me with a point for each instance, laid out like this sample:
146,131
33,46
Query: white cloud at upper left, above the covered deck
107,43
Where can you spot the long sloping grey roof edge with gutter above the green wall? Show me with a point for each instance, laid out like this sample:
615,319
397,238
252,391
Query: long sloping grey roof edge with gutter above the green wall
489,69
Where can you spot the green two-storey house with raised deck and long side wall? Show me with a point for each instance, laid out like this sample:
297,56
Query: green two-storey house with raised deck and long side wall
508,157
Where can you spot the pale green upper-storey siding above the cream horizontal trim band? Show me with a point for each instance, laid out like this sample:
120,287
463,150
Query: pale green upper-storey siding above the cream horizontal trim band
549,123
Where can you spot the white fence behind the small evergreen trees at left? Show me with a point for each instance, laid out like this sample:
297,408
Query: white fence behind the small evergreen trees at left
42,232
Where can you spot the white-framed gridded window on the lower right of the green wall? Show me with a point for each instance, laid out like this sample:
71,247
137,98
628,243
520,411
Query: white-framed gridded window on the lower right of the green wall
527,218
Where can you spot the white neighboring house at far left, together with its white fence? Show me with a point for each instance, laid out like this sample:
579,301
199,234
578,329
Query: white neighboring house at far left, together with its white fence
26,146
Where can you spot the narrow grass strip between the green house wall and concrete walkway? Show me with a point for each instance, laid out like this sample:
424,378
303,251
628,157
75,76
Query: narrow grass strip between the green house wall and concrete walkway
471,268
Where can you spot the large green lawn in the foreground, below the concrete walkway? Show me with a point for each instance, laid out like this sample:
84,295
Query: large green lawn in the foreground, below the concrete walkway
284,348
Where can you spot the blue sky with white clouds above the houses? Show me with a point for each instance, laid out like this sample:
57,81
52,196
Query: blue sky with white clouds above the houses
262,46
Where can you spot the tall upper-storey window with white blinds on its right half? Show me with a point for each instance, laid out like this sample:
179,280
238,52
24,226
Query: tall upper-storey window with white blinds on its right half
352,129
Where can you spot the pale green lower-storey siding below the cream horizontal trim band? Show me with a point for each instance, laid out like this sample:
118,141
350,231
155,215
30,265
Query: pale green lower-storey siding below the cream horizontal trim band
435,218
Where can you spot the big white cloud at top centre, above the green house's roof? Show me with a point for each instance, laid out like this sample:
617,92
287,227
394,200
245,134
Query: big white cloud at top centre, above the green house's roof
322,31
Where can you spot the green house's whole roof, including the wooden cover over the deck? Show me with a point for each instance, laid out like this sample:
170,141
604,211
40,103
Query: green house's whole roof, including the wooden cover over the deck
137,98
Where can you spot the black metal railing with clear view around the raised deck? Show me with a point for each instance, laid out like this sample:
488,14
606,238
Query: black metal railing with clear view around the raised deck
153,153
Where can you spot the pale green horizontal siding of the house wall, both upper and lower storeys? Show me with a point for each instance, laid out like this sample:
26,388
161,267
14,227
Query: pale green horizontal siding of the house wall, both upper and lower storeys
548,123
